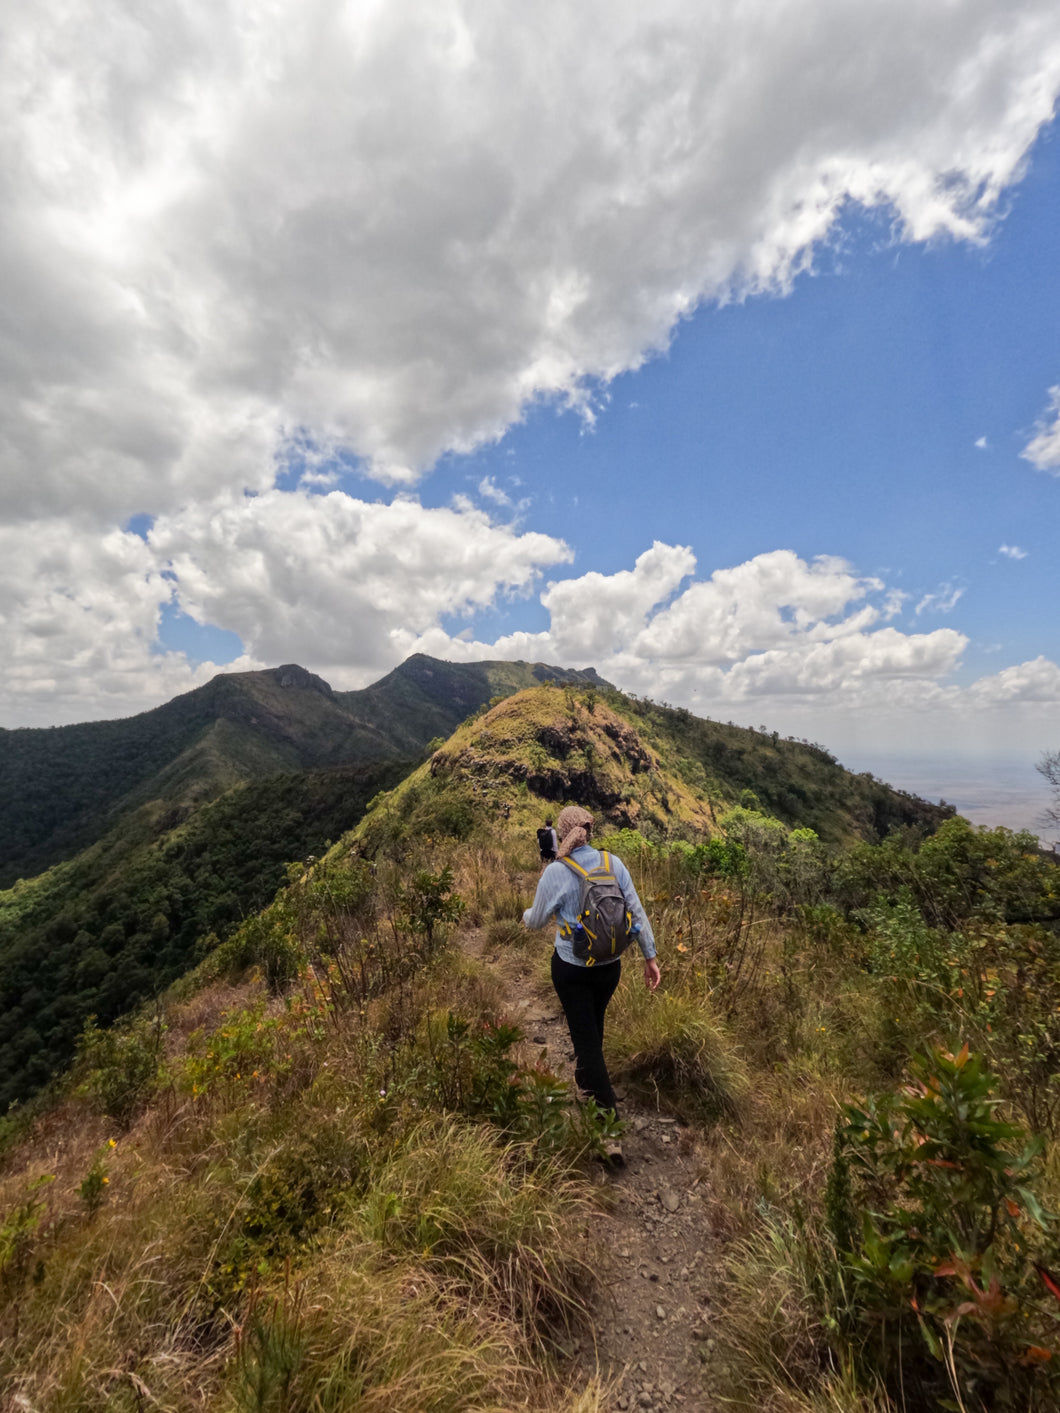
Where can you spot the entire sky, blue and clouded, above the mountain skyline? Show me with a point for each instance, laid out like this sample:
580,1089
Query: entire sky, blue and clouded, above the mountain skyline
716,347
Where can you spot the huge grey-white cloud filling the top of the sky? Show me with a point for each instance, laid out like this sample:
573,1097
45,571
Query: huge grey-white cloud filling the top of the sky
391,230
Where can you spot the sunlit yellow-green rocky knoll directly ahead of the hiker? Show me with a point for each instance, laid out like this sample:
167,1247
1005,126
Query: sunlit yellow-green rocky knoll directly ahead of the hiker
644,767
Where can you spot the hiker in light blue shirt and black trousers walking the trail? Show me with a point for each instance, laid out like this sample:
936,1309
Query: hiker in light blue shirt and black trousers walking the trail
584,984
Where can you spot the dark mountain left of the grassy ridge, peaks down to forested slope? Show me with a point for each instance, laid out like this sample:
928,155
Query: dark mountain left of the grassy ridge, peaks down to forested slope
153,834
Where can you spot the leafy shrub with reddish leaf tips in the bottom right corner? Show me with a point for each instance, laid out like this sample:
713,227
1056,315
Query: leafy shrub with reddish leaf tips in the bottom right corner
941,1292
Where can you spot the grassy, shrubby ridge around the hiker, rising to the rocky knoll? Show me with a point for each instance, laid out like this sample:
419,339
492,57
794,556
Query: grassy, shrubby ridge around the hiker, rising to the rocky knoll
329,1175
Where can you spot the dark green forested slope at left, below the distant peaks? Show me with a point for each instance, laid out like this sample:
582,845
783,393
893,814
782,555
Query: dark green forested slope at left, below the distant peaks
108,932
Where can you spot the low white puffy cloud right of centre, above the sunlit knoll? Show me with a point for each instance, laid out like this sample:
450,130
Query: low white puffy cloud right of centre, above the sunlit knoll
777,631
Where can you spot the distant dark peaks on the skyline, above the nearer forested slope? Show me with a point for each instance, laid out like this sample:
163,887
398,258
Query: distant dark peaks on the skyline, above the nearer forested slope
64,788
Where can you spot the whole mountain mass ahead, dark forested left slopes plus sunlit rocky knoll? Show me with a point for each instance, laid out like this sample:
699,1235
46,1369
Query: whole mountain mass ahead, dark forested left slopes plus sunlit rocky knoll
189,815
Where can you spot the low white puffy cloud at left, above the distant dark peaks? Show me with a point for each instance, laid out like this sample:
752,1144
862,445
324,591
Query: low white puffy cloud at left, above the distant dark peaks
344,586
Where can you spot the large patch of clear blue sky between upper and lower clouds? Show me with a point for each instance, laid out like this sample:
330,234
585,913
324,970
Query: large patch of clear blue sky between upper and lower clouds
840,419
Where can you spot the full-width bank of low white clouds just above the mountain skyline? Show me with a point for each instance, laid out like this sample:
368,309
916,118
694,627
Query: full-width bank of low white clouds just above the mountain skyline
350,589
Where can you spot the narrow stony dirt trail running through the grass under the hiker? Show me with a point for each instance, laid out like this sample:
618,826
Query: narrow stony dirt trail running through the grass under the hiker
652,1315
